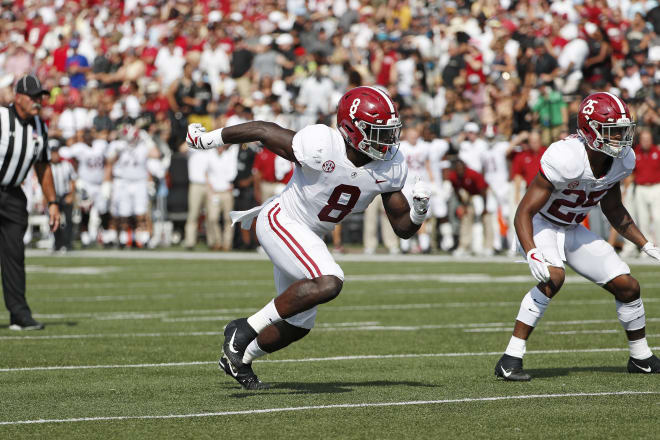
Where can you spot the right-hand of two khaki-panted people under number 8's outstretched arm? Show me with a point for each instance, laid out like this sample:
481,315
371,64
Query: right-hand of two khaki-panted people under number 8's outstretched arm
221,172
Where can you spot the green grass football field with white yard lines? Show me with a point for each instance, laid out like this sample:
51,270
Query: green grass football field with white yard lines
407,351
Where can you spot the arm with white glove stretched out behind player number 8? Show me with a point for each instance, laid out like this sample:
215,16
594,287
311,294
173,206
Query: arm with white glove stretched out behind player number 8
277,139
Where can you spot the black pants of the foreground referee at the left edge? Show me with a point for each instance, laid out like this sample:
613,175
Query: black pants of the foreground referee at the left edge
13,223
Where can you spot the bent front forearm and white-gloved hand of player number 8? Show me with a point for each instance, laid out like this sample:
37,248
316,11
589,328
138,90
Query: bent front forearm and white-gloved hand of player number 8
407,220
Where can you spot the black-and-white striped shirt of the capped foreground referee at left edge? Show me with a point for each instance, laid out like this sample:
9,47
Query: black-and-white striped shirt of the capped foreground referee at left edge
22,143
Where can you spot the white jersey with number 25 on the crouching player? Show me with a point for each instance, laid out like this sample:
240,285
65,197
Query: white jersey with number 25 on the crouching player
566,165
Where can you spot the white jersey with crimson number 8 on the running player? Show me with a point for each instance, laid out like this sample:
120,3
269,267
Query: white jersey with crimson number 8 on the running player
326,187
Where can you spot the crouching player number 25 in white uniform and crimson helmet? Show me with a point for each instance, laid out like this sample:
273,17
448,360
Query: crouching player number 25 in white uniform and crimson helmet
576,174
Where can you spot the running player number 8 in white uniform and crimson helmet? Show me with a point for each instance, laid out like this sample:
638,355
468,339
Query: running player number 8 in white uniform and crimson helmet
337,171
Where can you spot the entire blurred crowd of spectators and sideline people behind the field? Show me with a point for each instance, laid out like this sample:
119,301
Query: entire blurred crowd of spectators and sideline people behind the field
483,87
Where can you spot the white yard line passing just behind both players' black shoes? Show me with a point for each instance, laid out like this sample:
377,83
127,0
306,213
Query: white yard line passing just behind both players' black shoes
316,359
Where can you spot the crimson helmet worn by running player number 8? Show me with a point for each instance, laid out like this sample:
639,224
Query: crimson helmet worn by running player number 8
369,121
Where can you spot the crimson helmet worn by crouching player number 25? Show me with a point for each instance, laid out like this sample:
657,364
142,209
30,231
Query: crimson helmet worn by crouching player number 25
604,122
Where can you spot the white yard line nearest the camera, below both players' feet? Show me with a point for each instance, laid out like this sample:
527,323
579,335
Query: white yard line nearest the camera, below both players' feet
336,406
